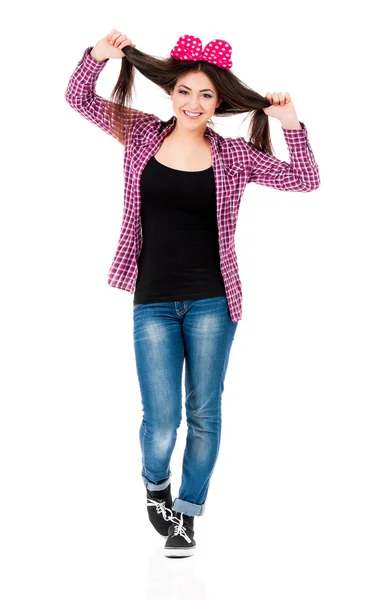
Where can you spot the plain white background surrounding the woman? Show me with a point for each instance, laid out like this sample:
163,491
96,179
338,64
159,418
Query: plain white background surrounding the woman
294,505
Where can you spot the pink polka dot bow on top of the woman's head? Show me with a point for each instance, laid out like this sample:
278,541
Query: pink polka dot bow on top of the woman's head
217,52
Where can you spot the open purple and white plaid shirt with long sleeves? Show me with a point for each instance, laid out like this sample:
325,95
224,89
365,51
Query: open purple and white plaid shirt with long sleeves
235,162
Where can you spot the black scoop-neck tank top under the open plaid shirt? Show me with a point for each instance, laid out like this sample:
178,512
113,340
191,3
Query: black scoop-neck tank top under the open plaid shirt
179,259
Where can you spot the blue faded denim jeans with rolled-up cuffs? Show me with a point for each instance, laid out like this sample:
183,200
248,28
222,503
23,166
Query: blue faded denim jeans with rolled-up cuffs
199,332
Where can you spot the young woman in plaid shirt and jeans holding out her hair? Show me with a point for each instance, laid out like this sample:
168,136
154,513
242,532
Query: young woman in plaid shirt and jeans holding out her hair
183,184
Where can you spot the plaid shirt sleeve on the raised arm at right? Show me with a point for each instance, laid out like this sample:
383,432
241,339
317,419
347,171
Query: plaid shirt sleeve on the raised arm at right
301,174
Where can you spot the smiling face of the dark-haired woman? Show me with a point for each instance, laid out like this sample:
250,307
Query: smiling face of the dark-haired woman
194,92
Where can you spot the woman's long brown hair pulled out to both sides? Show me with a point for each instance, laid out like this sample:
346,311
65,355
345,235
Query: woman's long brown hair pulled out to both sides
236,97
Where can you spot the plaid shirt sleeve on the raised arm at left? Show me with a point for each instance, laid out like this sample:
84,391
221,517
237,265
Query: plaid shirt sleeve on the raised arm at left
81,95
